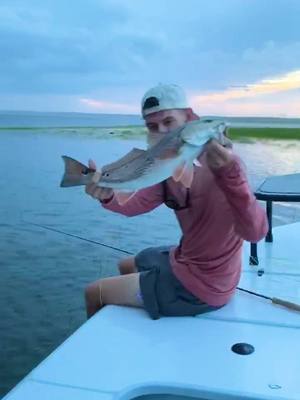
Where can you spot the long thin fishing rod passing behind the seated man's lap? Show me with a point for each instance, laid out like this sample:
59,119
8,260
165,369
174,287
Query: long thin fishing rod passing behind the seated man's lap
274,300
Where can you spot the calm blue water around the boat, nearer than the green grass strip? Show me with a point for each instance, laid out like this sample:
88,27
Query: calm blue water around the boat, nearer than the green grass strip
43,274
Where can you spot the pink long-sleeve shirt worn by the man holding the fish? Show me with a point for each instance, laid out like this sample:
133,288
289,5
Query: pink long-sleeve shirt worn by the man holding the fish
223,212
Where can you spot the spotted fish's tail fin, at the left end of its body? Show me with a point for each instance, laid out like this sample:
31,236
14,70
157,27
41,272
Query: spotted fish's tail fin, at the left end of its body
75,173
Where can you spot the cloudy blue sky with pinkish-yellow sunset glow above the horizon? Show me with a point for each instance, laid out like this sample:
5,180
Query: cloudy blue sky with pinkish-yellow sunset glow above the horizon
233,57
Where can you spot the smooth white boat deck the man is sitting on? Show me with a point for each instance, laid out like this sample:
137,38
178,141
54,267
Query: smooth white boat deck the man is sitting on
122,354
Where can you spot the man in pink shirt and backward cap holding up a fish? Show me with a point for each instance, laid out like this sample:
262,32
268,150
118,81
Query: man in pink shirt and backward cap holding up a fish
216,214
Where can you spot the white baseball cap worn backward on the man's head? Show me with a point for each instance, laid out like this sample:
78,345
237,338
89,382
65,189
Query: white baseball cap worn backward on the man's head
163,97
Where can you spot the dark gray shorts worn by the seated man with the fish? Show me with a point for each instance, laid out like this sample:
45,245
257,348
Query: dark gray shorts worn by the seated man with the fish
161,291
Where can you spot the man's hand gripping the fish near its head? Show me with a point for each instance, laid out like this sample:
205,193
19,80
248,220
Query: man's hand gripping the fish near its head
218,156
